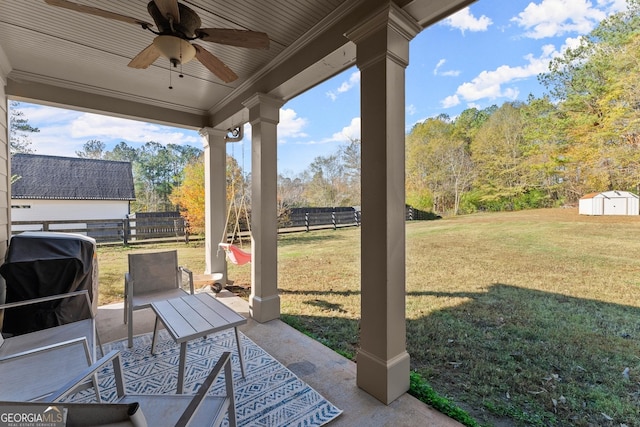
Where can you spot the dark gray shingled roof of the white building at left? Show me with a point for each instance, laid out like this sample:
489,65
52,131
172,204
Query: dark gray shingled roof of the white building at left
52,177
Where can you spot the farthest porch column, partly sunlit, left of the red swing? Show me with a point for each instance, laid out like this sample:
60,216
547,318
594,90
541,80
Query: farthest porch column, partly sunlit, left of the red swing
215,195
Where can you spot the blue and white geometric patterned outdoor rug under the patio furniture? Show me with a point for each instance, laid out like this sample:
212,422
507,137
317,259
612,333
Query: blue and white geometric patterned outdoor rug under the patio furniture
269,396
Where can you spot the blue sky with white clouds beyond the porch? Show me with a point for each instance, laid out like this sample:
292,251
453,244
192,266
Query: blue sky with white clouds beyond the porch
486,54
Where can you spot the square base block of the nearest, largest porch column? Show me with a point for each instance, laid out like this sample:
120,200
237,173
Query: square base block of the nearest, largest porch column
384,380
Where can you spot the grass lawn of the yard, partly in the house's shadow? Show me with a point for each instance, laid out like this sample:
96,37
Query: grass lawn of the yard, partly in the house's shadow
522,318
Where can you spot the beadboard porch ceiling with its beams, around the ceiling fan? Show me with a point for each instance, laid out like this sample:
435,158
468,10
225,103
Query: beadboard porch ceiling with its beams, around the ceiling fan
66,58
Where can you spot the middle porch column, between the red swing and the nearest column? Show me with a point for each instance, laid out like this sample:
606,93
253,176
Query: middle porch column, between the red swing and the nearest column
264,114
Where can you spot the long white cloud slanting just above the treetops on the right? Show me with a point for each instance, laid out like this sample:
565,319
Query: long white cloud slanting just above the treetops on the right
494,84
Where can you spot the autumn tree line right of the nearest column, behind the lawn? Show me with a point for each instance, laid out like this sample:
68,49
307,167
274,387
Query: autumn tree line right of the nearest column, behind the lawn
582,136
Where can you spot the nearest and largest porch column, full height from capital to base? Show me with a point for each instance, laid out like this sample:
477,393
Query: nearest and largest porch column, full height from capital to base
382,56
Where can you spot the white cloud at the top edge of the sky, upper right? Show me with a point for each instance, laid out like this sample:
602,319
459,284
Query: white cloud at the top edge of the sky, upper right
552,18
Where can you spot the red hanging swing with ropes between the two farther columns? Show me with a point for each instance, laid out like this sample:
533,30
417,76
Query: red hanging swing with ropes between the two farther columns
236,255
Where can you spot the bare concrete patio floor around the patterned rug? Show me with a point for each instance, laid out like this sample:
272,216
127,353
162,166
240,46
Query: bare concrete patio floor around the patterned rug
329,373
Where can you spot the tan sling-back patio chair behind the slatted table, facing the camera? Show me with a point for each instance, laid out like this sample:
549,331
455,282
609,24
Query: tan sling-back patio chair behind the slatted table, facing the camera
152,277
